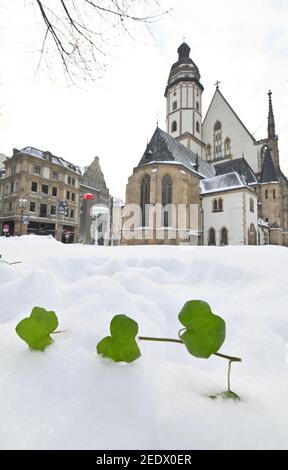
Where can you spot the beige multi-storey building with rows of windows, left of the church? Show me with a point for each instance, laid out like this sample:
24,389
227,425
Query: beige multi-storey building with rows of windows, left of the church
40,194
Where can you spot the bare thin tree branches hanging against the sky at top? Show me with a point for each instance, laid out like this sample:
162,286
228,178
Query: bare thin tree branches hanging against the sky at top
79,31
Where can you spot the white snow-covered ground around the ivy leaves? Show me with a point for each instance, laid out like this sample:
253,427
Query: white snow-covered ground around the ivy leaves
70,398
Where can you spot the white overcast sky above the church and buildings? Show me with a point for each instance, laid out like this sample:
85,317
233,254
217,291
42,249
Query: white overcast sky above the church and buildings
243,43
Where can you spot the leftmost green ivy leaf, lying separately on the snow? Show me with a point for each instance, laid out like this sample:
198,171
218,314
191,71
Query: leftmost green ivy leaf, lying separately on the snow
36,329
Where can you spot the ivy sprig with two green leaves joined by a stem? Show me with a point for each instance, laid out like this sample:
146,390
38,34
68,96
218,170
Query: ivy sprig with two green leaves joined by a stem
203,336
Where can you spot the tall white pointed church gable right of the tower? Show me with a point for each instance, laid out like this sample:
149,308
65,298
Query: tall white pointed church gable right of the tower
225,135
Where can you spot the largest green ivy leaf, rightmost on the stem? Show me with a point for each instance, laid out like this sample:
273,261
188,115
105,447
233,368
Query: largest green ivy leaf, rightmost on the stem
205,332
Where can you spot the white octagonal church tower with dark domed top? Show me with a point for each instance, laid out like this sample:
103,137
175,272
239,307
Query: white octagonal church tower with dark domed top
184,101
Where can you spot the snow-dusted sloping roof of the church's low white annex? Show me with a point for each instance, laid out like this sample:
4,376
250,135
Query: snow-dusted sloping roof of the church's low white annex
220,183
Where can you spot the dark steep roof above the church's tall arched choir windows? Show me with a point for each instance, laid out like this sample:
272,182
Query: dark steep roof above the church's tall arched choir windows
163,148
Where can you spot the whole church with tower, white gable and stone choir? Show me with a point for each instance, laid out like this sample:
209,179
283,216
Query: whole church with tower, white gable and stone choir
229,186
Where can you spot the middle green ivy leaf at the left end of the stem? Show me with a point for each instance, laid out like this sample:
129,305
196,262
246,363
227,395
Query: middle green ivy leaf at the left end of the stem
121,346
